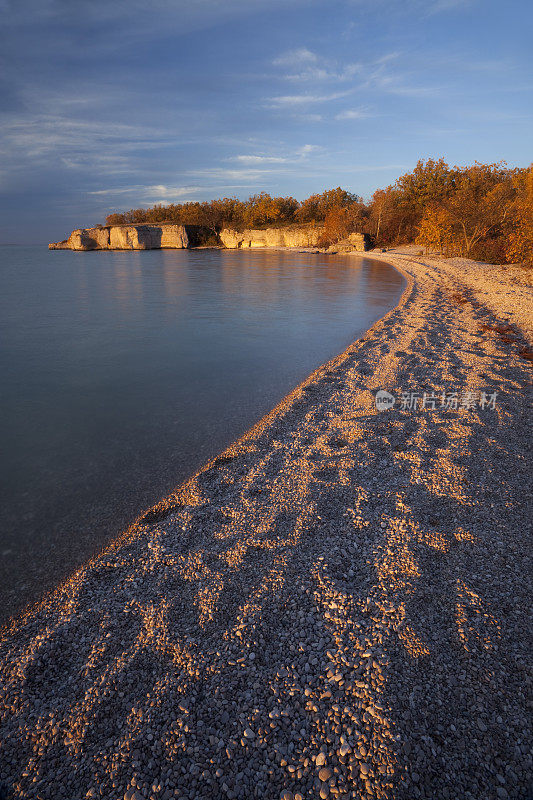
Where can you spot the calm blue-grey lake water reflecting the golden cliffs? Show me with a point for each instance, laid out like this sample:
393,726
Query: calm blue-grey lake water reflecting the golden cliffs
121,373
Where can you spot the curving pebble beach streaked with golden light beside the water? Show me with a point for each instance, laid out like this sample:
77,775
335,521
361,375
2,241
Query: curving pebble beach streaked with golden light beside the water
338,606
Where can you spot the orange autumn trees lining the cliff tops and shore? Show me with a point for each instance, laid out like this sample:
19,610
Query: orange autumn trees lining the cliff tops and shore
481,211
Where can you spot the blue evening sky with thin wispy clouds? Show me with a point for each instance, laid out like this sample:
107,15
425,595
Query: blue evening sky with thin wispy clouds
108,105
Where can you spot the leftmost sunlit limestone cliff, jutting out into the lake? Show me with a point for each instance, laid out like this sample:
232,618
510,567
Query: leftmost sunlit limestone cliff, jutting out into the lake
131,237
